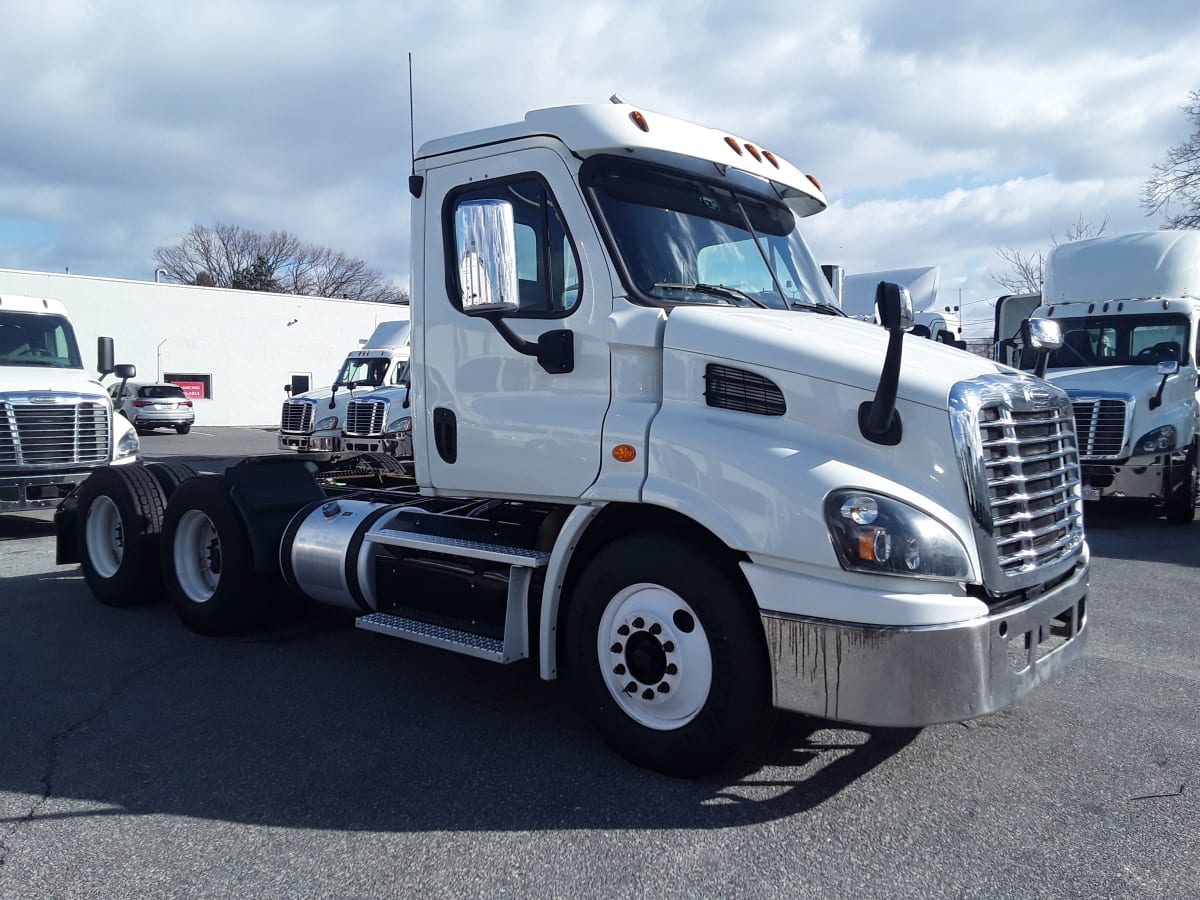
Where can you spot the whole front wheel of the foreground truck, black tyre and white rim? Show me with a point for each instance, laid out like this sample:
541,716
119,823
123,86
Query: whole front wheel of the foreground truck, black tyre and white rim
669,656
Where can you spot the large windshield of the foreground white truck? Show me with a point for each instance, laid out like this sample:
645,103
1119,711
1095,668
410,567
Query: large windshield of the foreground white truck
682,239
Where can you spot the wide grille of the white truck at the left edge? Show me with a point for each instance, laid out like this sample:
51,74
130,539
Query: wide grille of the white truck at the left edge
52,435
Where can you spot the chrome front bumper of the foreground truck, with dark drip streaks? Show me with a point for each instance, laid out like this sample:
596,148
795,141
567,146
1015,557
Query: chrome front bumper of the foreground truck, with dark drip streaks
914,676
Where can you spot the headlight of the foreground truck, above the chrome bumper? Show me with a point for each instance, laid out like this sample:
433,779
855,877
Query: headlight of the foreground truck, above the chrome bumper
881,536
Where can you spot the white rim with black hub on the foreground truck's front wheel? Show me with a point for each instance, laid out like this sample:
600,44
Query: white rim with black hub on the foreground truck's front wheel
655,657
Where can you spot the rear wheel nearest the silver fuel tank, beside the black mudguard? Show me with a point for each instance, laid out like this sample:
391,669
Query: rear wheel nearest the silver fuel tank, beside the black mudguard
207,562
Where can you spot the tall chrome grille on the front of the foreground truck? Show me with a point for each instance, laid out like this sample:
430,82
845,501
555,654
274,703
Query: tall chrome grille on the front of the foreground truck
1017,445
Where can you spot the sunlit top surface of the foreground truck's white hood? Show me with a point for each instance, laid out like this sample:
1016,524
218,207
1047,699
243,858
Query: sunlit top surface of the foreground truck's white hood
830,349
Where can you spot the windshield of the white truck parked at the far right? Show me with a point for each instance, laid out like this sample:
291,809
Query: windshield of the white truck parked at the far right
1119,341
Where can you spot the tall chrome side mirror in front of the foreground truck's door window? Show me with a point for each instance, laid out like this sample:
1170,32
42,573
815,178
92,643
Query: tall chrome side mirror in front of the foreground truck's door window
487,247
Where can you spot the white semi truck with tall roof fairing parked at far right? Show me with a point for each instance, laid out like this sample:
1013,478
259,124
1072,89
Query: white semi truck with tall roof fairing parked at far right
1129,309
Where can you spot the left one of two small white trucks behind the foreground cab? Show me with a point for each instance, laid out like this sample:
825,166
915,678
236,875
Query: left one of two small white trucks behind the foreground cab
314,421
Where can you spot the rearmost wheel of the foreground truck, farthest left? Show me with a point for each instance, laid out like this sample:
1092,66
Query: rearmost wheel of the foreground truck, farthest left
119,521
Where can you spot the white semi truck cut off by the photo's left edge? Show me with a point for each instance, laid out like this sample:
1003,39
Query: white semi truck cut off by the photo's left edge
57,423
